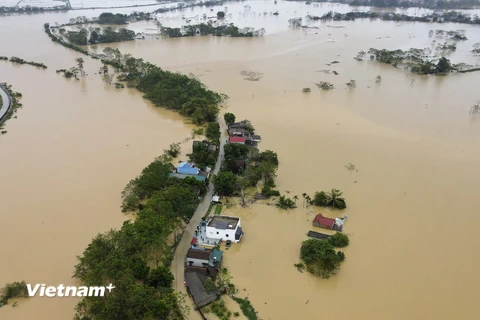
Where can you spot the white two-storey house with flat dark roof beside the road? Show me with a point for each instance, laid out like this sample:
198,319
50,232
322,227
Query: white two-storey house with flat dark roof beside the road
224,228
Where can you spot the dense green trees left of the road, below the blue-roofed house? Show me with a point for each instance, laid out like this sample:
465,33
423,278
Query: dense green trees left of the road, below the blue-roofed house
137,258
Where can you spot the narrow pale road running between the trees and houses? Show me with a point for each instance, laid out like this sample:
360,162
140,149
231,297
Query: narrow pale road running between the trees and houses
178,261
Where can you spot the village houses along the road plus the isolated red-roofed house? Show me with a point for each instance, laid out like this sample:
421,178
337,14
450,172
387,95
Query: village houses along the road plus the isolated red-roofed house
204,258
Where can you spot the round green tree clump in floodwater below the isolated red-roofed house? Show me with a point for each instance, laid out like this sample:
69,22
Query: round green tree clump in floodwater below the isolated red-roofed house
320,256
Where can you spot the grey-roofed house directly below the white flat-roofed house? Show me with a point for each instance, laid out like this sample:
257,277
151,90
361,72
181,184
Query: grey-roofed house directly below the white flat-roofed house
204,261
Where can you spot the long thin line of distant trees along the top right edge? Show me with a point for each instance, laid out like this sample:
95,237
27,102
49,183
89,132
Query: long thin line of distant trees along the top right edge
451,16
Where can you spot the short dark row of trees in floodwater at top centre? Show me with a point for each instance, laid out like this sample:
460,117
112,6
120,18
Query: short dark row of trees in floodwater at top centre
208,28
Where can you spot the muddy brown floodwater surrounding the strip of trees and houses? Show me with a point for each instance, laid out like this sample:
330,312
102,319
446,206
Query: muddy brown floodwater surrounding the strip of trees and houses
412,209
